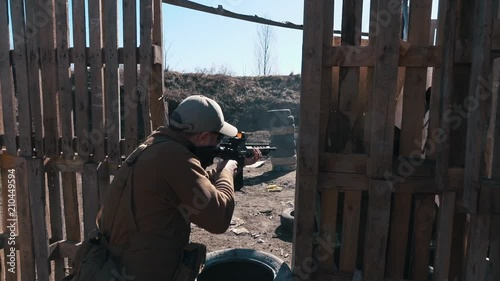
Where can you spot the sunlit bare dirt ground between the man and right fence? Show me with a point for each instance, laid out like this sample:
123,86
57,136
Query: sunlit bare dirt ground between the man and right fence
257,211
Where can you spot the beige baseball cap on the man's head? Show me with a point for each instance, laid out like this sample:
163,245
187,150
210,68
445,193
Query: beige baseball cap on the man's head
198,113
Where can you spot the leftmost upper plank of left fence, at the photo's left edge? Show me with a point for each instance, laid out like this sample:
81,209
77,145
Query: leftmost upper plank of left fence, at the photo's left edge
7,85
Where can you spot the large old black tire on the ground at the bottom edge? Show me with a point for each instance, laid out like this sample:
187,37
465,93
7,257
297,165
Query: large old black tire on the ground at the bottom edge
244,265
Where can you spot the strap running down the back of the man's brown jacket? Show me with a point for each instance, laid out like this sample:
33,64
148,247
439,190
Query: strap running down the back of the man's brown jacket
125,174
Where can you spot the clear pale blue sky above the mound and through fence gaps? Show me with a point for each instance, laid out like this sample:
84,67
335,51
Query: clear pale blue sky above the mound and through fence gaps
197,40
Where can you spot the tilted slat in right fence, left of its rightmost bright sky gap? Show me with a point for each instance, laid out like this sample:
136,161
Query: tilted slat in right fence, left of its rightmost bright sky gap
411,128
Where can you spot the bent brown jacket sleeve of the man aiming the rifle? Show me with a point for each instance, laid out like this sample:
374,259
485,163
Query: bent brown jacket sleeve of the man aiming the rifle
210,206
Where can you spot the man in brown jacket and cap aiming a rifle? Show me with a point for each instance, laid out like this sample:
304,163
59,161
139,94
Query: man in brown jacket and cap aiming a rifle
171,189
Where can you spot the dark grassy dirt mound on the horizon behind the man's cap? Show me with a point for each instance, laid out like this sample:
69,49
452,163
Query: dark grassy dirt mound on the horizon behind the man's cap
245,100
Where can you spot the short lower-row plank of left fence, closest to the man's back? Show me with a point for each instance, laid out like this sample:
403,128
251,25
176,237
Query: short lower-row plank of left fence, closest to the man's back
90,196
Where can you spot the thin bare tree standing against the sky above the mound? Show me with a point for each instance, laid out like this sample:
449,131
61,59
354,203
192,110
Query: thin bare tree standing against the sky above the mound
263,50
